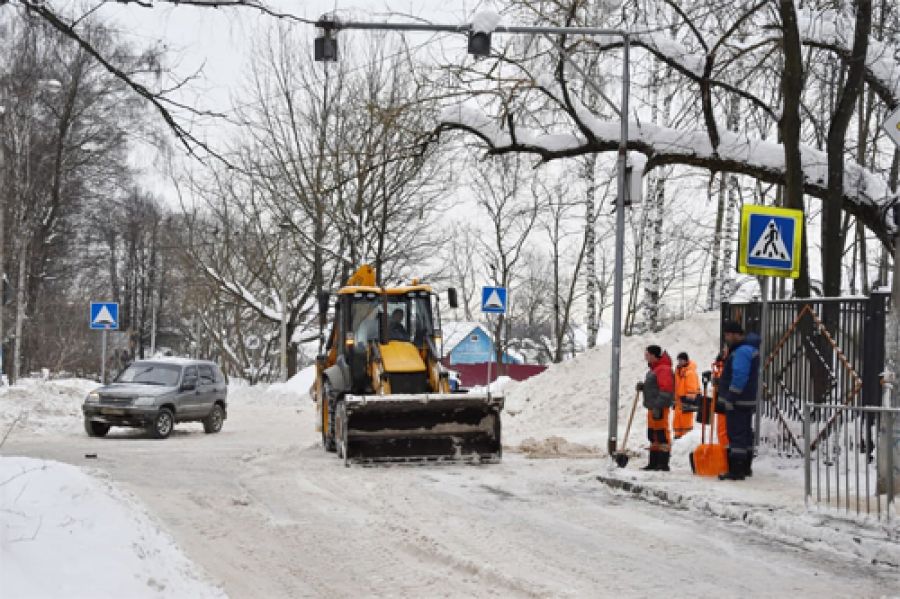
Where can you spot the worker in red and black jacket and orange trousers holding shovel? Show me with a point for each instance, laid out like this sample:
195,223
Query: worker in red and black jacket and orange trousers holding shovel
659,390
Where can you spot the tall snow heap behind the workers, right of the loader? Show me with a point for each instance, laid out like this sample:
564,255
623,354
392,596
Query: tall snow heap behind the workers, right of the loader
571,400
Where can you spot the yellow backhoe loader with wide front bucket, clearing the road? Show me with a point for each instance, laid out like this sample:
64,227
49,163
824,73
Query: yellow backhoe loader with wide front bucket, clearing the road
381,391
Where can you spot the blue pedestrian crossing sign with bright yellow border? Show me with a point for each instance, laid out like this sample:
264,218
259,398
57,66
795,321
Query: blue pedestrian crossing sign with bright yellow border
770,241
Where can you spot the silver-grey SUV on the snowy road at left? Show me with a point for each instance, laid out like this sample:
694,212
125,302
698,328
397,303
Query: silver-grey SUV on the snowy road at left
155,394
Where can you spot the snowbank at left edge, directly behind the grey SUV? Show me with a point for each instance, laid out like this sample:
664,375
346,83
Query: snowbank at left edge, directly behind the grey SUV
44,406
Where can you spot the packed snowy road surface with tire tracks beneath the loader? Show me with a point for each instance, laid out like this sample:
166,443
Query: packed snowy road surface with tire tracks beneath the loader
268,514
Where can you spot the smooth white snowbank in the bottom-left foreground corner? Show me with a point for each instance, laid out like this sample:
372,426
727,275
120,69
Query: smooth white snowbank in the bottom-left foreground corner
66,534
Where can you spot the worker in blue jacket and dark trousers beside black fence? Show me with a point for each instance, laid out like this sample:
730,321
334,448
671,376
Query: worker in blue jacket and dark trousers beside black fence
737,395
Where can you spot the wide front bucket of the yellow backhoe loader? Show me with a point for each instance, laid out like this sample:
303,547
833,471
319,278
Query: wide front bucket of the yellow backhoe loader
421,427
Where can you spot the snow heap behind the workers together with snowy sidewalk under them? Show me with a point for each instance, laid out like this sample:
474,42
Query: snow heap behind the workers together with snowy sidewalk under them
564,412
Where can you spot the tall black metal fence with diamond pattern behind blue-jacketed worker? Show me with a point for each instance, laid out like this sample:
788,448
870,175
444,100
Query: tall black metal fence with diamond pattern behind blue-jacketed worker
818,351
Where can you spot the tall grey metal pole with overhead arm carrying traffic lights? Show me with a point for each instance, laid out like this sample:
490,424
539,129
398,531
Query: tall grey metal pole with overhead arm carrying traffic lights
325,49
